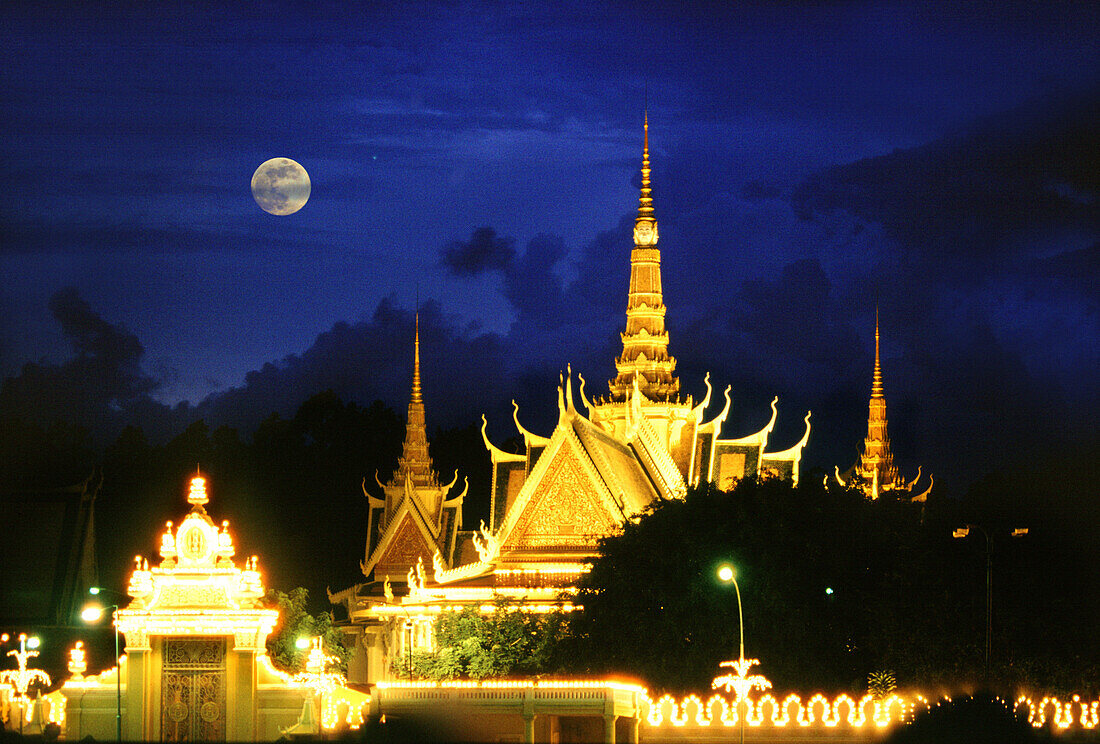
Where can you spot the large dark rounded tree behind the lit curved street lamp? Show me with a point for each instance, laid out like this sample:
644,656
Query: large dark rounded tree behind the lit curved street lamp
821,573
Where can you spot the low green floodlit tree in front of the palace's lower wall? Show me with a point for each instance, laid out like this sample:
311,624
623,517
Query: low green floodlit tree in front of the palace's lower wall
509,642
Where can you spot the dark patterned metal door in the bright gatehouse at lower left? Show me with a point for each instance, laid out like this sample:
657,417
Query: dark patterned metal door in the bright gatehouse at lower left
193,691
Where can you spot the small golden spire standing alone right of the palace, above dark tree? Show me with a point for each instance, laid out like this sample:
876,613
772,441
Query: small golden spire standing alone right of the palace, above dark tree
875,472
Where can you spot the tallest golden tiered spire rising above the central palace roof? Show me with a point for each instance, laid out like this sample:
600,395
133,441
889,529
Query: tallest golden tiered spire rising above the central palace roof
645,356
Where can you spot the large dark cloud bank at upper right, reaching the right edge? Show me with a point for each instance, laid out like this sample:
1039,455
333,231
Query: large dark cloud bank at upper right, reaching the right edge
984,193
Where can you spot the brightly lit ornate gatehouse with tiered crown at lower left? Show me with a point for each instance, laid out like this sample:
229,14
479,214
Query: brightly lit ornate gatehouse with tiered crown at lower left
195,666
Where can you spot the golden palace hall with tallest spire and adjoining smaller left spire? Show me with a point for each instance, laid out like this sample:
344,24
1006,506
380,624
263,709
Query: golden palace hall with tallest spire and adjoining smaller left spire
551,505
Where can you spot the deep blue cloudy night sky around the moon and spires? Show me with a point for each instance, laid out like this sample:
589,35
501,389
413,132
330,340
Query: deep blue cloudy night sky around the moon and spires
809,160
